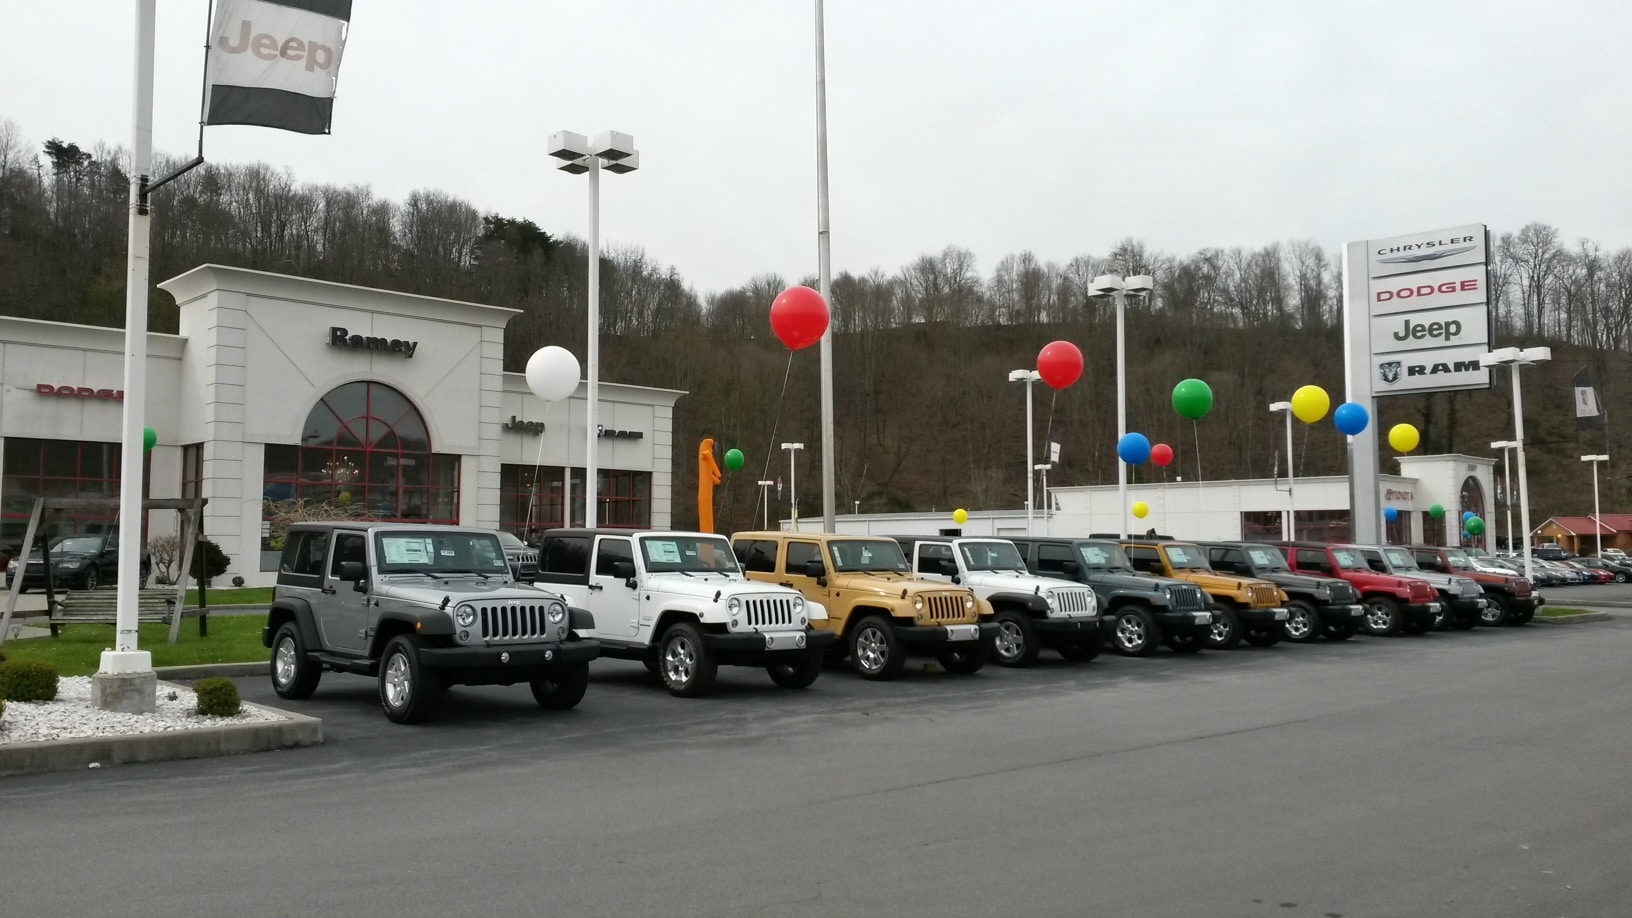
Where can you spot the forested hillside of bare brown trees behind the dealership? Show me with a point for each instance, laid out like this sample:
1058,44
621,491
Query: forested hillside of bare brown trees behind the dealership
925,412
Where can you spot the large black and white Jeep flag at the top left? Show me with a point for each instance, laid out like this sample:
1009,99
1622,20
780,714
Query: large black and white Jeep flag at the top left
275,63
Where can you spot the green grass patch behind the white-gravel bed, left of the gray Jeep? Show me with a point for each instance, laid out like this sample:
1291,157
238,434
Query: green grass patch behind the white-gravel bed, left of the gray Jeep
78,653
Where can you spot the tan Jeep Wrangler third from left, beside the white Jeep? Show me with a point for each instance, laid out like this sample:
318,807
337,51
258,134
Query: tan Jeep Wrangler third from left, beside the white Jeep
876,605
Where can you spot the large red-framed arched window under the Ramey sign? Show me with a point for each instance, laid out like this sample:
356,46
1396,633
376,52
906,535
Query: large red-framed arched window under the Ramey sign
365,452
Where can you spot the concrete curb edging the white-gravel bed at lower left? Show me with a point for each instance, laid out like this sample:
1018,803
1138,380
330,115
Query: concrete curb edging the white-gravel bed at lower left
233,739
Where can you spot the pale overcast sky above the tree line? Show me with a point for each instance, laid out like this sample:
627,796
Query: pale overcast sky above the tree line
1057,127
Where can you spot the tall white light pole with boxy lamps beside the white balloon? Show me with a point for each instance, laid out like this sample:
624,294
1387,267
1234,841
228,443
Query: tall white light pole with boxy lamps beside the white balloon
614,153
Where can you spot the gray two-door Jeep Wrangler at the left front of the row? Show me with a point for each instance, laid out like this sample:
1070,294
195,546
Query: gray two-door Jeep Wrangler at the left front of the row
420,608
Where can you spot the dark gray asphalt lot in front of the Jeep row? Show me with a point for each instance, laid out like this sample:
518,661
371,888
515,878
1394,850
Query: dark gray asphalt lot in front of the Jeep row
1455,773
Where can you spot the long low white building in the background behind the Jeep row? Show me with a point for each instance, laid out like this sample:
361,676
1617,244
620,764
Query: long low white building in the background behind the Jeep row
1253,509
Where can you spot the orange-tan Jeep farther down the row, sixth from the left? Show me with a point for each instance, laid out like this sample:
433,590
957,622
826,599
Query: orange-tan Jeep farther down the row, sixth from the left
1243,607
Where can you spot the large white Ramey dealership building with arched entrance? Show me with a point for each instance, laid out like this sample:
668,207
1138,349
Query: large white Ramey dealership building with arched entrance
286,394
